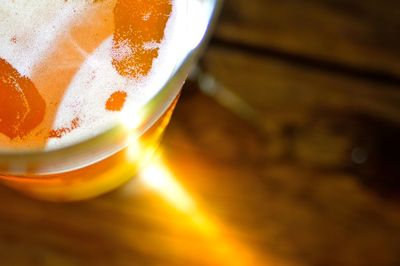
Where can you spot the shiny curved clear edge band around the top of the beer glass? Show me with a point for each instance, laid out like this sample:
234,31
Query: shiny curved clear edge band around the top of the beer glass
105,144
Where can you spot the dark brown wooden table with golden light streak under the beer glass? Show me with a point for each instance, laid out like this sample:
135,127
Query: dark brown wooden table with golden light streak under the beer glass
292,160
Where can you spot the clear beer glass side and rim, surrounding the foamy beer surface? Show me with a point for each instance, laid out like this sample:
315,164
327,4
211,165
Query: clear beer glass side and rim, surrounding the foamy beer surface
101,163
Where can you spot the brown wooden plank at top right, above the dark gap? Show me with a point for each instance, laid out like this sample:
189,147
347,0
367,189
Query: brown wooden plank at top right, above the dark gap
360,34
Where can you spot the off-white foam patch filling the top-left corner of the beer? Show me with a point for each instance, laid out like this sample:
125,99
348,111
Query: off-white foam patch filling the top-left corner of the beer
30,28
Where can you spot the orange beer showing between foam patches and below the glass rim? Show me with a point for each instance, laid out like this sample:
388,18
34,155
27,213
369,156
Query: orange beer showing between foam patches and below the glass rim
27,113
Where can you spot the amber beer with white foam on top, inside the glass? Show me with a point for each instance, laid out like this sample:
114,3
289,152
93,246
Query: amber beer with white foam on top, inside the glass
71,69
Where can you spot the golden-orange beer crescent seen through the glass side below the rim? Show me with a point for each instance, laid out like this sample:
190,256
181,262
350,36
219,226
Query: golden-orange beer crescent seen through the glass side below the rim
96,178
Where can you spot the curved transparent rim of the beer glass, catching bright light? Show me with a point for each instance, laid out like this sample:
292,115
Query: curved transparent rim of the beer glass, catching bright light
114,138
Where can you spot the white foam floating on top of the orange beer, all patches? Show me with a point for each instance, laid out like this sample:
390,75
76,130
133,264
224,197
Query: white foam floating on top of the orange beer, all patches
31,30
